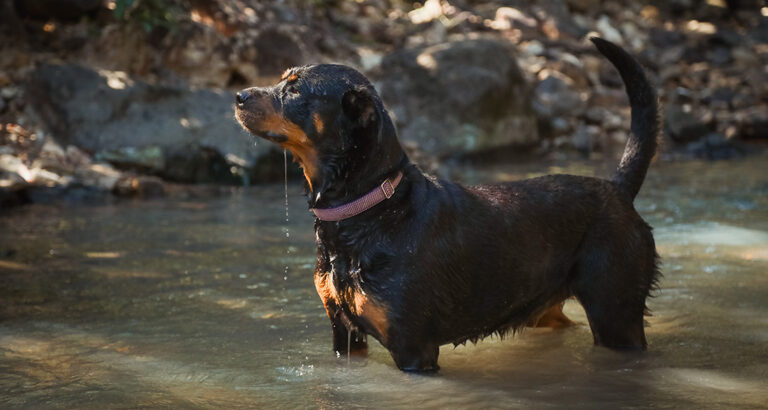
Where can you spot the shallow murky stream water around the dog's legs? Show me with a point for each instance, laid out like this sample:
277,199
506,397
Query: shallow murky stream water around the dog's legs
187,304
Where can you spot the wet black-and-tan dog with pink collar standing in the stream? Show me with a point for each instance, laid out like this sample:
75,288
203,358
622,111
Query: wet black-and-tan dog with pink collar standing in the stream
417,262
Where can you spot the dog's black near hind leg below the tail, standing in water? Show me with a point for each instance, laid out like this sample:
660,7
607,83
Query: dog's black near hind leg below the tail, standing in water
612,282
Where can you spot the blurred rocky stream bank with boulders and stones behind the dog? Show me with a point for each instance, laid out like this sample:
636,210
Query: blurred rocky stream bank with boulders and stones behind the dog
133,97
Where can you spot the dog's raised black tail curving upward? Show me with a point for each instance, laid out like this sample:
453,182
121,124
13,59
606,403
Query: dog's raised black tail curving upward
641,145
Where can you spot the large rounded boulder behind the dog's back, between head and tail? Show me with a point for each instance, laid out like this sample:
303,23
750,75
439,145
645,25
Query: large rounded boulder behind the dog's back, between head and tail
458,97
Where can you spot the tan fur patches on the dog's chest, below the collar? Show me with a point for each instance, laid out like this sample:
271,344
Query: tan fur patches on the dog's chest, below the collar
358,303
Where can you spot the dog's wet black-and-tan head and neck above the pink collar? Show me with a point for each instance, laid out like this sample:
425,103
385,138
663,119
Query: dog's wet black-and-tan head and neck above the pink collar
333,122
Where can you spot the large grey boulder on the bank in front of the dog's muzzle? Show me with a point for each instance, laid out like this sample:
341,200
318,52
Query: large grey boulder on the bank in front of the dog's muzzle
149,128
